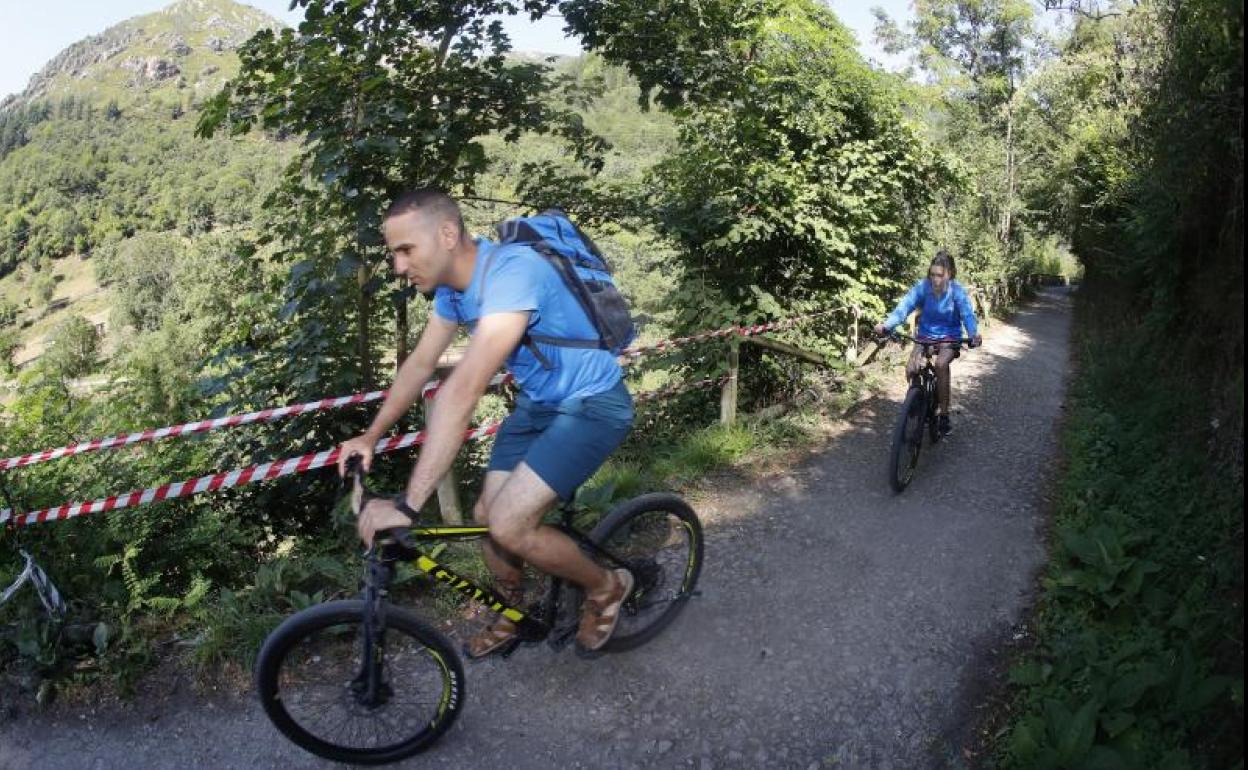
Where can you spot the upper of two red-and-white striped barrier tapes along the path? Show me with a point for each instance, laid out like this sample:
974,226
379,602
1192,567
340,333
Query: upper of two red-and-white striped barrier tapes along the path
430,391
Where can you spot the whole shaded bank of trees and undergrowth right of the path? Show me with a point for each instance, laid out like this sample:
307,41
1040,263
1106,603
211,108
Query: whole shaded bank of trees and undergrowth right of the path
1139,660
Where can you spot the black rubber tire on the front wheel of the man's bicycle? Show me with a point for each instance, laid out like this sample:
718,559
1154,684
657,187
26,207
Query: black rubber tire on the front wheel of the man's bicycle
349,613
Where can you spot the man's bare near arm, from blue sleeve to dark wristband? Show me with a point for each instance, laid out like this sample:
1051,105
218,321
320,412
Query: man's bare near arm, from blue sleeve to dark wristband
496,338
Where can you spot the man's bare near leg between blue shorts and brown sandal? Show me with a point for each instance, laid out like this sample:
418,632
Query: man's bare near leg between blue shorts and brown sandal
515,517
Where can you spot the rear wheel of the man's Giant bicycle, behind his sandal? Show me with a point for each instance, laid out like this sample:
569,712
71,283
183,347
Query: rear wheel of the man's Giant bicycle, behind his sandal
653,557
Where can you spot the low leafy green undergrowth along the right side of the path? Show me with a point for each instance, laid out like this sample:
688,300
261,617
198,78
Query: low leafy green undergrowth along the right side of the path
1139,660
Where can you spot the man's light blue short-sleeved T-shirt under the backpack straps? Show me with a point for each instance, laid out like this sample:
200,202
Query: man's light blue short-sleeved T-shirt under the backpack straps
522,280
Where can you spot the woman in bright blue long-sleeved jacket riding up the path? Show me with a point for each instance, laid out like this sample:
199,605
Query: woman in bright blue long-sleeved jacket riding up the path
944,310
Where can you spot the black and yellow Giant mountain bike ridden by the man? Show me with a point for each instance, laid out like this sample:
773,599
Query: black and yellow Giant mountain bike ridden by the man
365,682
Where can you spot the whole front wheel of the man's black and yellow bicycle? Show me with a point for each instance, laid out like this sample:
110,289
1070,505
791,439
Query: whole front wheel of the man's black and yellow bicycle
315,685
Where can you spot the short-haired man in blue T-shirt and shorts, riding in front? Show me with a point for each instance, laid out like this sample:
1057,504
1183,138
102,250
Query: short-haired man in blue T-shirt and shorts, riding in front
572,412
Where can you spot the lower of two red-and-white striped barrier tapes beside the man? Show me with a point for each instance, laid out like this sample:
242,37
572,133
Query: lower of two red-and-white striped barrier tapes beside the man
265,472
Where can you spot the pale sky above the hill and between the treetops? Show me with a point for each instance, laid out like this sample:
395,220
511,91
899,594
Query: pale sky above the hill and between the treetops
33,33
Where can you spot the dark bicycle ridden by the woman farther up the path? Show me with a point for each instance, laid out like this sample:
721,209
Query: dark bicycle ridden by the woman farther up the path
918,411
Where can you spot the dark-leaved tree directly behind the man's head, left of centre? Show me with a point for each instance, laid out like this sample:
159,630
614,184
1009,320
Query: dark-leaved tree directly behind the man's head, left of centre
424,84
